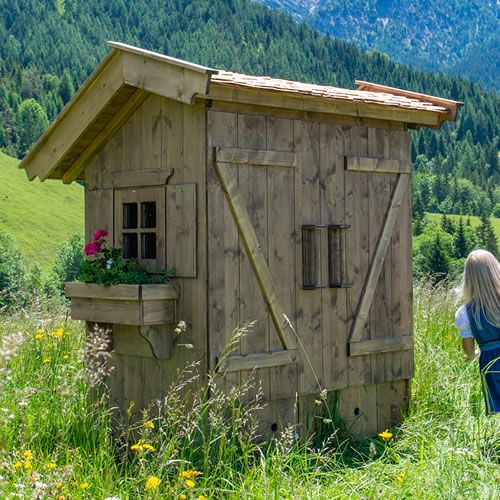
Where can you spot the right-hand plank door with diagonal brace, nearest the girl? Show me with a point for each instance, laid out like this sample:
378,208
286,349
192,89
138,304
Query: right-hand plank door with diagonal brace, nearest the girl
377,178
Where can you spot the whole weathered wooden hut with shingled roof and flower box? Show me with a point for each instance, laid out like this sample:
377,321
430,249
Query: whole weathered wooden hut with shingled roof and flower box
276,201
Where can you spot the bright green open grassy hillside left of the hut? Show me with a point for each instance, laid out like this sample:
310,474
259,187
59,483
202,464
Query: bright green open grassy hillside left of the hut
38,215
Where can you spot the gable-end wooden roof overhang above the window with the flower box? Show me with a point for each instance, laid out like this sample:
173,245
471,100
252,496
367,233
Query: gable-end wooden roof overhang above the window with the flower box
114,90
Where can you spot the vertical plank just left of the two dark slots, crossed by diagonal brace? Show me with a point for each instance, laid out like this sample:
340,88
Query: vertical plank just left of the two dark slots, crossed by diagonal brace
281,248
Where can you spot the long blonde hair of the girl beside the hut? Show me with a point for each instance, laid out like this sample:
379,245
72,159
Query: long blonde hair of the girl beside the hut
481,285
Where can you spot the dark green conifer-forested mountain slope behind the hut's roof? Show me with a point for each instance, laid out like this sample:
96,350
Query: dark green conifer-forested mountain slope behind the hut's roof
458,165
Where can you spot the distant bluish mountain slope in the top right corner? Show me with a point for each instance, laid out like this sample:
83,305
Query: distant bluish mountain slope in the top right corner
429,34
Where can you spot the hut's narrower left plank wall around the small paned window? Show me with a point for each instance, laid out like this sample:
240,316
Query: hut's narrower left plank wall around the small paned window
163,141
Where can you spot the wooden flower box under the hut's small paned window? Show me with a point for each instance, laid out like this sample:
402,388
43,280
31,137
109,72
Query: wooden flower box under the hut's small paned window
124,304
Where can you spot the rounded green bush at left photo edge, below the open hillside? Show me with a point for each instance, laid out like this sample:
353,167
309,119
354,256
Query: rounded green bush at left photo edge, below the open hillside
13,273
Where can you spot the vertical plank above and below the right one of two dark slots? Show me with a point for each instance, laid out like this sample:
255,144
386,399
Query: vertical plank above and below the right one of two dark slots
333,300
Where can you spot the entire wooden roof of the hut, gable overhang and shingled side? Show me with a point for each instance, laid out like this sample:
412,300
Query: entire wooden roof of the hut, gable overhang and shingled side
127,75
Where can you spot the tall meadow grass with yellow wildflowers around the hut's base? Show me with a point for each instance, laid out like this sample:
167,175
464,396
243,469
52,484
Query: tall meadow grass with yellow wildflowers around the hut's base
54,441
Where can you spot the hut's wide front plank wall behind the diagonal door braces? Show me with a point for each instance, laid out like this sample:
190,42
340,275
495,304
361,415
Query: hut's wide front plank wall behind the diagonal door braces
318,190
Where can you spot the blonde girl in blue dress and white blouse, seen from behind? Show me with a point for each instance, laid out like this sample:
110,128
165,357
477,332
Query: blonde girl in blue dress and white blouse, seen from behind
479,321
